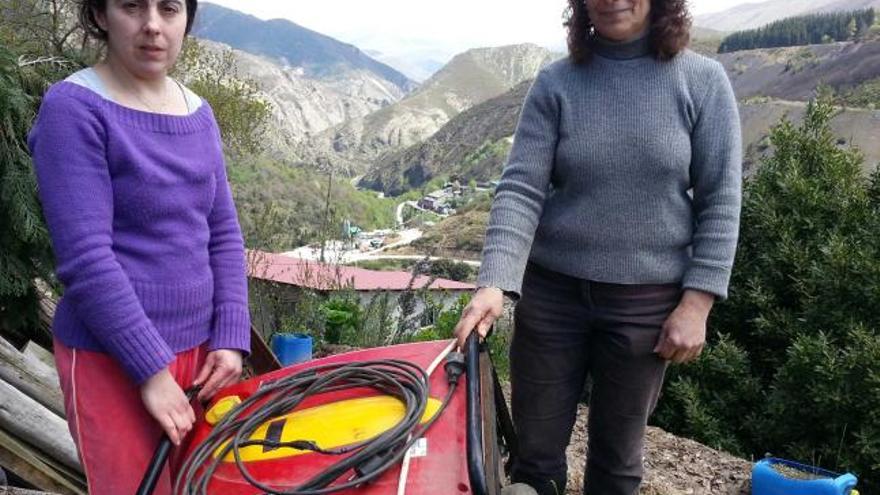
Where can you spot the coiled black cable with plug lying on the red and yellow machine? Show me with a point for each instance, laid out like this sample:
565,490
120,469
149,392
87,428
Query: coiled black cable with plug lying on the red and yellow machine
368,460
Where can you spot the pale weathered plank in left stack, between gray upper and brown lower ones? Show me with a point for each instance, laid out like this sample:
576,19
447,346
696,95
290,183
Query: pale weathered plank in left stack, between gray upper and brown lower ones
29,420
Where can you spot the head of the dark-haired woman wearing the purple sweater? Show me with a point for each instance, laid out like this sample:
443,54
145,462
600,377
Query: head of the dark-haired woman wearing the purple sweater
145,36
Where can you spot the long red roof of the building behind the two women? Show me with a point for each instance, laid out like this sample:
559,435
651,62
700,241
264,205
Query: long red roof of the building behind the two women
321,276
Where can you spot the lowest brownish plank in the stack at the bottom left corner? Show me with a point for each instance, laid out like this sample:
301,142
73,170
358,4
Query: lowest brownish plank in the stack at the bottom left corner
30,465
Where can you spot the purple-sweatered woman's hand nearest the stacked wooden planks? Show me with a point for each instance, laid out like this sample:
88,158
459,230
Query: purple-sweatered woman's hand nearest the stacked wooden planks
167,403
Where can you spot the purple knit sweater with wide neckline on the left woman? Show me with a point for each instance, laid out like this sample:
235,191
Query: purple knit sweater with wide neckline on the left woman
144,230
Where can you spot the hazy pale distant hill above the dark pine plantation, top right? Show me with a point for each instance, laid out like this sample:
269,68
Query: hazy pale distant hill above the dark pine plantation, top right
752,15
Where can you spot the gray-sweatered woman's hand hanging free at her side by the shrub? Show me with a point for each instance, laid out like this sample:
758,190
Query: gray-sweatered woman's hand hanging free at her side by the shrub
684,332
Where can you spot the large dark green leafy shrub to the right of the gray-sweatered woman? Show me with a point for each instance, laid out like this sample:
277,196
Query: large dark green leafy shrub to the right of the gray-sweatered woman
797,372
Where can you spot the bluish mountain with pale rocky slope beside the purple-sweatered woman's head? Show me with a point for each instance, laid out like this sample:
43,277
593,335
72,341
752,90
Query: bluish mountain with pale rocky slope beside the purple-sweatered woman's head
313,81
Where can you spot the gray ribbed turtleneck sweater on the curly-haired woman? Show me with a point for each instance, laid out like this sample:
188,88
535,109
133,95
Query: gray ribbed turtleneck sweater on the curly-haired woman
624,170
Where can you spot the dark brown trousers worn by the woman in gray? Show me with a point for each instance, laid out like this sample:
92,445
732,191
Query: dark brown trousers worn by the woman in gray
565,329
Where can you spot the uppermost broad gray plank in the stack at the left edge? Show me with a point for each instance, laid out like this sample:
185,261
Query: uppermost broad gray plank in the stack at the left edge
33,378
